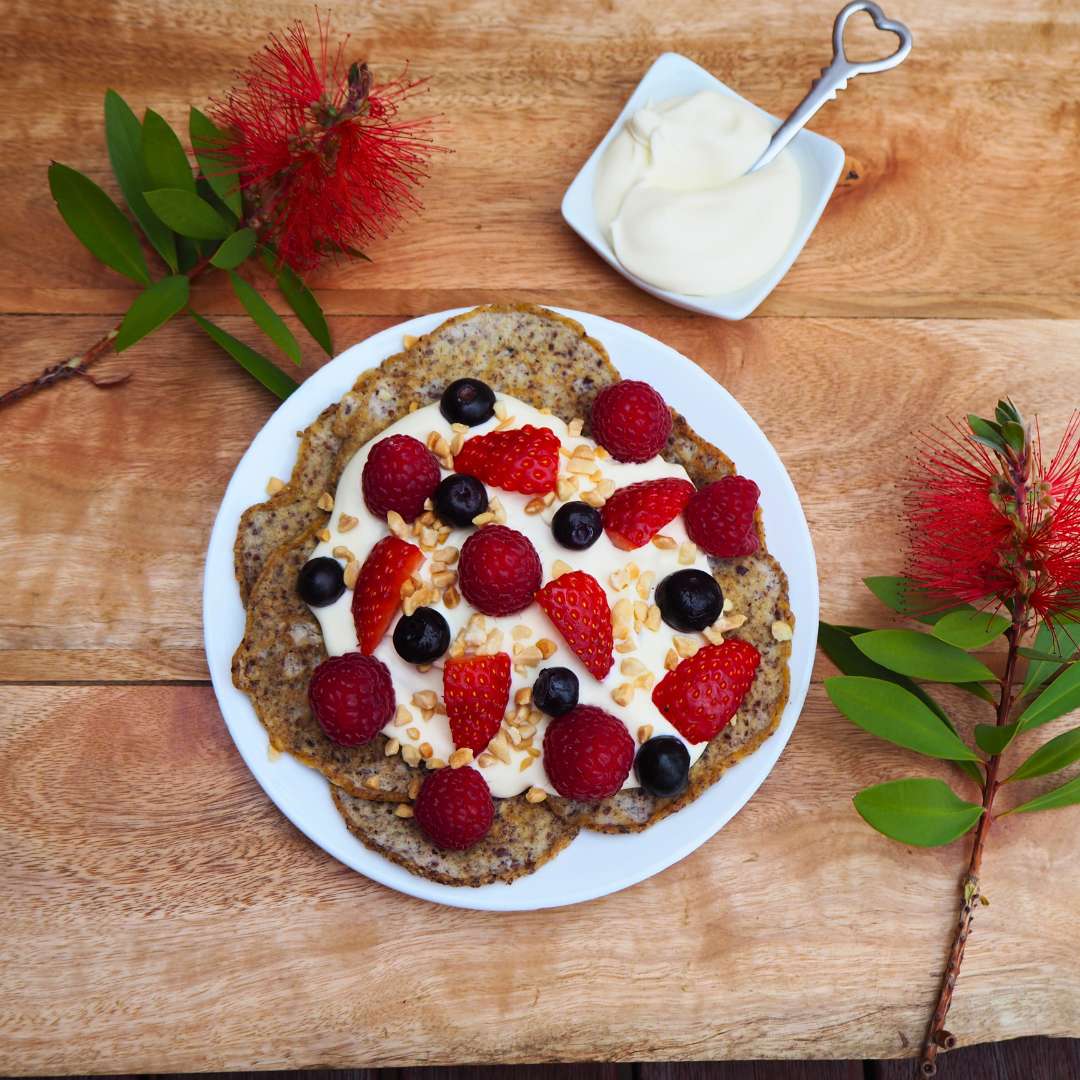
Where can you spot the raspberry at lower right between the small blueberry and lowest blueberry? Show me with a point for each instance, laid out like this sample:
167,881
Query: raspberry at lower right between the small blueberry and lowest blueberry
588,754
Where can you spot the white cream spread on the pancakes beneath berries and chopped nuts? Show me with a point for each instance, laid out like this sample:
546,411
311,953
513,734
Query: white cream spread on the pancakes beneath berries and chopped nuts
602,561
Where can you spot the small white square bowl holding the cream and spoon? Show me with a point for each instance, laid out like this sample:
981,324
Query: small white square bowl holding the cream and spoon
820,163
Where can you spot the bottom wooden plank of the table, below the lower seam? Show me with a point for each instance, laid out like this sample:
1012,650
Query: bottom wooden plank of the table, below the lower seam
160,915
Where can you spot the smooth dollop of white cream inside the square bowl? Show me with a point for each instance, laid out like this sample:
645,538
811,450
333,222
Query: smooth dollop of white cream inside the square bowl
674,200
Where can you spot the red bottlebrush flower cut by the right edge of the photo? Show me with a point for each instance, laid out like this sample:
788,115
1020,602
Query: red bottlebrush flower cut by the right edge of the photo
989,523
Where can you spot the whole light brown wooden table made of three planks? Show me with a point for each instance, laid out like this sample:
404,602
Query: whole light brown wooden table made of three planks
158,913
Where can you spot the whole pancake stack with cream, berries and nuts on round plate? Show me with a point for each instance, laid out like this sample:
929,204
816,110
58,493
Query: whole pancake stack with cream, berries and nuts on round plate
474,699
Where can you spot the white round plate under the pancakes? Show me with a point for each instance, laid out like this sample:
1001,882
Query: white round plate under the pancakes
595,865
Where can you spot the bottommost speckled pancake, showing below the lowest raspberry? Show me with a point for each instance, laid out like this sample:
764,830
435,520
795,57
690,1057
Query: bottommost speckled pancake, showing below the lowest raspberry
522,840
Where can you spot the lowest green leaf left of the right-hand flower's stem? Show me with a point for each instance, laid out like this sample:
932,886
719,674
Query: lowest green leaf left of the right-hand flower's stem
925,814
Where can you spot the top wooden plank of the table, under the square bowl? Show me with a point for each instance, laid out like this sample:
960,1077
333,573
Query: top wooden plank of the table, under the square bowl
961,155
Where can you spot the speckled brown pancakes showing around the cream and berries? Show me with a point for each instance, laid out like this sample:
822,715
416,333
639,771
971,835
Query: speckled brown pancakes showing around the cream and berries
549,362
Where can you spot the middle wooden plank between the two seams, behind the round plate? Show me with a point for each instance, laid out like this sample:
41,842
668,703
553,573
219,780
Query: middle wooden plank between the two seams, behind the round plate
119,489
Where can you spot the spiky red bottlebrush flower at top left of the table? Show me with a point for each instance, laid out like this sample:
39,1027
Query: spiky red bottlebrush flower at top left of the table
325,161
